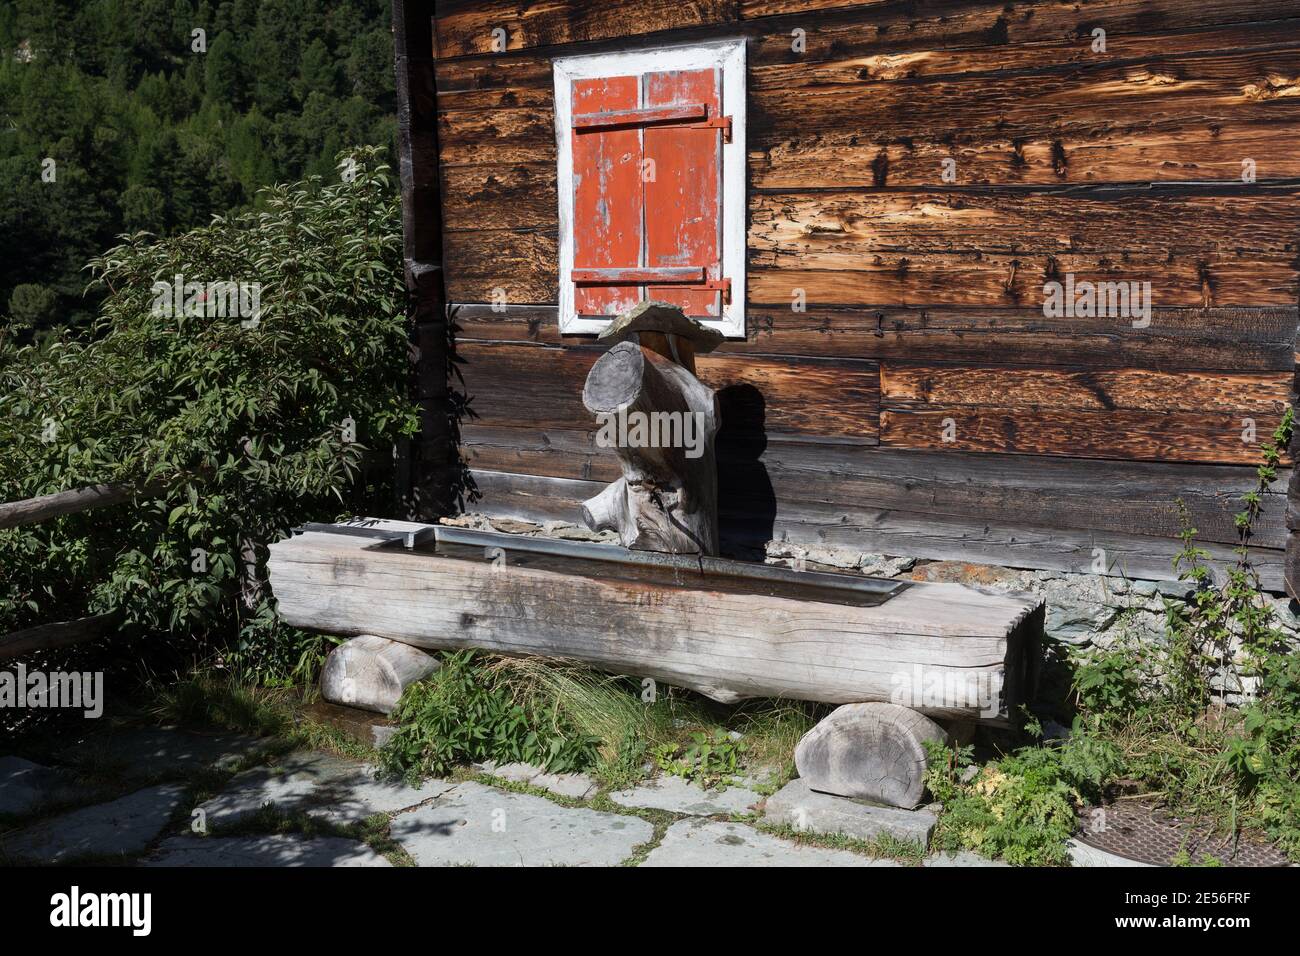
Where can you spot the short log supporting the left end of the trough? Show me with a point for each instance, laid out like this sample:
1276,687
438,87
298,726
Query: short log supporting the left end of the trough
371,673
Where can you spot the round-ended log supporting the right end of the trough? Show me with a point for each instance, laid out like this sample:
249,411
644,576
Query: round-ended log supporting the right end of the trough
869,752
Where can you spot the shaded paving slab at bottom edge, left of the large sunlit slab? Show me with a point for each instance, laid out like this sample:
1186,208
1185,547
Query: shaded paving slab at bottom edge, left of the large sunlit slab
278,850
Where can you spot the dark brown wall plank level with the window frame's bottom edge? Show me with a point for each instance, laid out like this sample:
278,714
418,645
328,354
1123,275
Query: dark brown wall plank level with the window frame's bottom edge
1249,340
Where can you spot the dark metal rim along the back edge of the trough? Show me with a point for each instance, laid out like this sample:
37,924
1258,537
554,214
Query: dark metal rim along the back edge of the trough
878,589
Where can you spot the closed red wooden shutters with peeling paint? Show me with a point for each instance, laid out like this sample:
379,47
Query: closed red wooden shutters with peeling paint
657,235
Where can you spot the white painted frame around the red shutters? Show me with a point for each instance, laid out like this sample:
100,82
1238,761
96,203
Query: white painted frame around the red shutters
730,58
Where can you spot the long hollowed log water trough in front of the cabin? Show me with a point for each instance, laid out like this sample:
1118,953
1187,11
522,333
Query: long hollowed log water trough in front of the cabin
729,630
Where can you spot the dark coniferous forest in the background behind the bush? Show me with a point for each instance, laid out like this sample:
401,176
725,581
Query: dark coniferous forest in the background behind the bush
119,116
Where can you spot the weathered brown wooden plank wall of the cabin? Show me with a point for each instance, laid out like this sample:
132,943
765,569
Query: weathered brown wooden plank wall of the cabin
924,299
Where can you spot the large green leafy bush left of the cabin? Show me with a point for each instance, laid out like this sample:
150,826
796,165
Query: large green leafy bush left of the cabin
232,430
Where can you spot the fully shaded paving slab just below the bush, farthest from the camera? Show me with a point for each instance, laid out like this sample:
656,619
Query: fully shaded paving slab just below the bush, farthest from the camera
155,751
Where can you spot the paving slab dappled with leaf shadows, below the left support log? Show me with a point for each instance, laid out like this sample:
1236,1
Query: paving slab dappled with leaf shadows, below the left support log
320,785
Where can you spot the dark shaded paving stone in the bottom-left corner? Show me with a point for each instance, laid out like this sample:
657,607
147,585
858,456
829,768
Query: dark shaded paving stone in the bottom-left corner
124,827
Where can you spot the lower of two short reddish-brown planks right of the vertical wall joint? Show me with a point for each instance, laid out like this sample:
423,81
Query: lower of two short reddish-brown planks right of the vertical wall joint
1159,436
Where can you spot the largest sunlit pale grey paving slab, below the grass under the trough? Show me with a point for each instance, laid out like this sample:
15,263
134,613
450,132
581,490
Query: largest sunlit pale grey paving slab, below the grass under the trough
480,827
